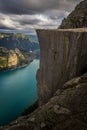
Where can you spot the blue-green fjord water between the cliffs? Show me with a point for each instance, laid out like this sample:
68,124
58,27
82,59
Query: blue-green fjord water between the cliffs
18,90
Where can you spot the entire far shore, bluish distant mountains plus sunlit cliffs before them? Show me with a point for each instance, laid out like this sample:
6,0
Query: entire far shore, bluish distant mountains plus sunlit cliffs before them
17,50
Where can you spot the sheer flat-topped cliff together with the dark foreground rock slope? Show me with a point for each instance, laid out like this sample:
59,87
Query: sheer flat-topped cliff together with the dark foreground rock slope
63,56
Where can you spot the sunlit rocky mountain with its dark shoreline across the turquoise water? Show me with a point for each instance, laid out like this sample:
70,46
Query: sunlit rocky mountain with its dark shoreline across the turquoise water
12,59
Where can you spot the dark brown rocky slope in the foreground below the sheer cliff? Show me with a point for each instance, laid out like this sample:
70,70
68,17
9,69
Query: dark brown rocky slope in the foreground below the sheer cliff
67,110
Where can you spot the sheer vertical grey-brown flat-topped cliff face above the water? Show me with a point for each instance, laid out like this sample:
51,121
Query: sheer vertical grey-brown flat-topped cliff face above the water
63,56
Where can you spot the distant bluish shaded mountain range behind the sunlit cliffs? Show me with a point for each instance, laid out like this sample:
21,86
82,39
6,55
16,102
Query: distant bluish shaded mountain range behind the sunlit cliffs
20,41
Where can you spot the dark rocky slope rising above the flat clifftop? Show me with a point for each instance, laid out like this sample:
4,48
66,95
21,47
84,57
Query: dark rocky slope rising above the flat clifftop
78,18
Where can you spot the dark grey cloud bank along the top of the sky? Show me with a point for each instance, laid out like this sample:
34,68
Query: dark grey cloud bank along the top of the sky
35,6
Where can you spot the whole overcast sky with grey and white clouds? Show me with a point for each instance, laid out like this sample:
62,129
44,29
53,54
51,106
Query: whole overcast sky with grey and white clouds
24,16
